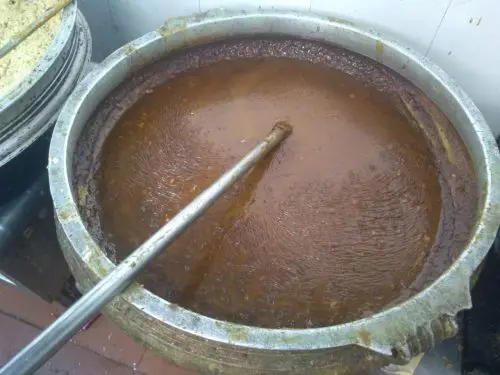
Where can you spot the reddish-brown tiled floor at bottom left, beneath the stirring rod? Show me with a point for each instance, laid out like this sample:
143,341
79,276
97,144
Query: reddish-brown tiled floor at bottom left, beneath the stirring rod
101,349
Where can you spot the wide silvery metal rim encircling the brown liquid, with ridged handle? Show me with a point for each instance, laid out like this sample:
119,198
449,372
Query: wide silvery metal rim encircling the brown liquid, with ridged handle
398,332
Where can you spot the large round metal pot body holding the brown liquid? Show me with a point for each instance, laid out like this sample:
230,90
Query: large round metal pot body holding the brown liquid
209,345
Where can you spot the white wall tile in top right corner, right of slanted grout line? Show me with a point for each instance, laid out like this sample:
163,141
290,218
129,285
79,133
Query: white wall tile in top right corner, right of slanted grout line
466,47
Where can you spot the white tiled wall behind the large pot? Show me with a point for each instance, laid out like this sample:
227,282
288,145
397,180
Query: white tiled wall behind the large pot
462,36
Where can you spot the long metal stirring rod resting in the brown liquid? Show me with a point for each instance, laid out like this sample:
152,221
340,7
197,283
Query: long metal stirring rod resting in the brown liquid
45,345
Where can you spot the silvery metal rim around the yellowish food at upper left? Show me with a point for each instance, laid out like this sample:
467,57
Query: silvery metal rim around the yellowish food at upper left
29,108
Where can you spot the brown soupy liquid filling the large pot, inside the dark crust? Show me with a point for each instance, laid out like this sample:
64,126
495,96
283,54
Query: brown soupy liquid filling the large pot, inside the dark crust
335,224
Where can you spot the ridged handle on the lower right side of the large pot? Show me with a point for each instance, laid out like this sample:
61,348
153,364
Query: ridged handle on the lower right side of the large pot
425,337
